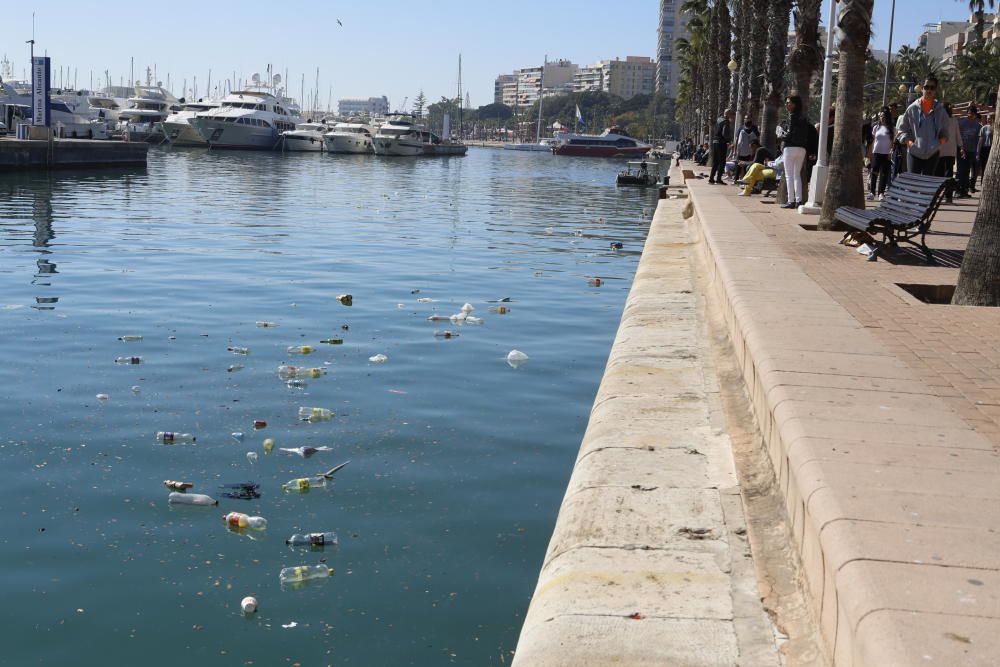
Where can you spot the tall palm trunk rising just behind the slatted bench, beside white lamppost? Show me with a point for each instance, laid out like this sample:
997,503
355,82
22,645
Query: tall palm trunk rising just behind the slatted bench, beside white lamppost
845,183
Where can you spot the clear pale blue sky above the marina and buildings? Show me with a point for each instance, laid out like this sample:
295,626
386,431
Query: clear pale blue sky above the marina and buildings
384,48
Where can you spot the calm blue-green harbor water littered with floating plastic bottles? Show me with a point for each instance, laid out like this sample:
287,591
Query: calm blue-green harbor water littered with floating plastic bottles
458,461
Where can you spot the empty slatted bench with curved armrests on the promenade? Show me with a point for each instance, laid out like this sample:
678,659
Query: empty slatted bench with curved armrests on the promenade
905,213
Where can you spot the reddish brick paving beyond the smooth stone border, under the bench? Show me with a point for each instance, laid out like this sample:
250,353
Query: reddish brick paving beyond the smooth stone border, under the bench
955,350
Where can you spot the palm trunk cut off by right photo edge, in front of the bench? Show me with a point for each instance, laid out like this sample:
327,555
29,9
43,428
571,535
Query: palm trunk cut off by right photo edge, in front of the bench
979,277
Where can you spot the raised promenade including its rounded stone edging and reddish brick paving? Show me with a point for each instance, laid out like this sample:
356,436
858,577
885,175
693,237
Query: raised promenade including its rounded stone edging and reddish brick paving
882,419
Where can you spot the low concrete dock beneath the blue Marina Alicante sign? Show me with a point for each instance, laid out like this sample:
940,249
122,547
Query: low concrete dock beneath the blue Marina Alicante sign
16,154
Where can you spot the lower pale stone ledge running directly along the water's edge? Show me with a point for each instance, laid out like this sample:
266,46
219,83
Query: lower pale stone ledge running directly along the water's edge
649,562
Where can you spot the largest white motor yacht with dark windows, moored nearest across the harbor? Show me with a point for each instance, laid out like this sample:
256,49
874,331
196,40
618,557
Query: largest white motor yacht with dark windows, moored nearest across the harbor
247,119
